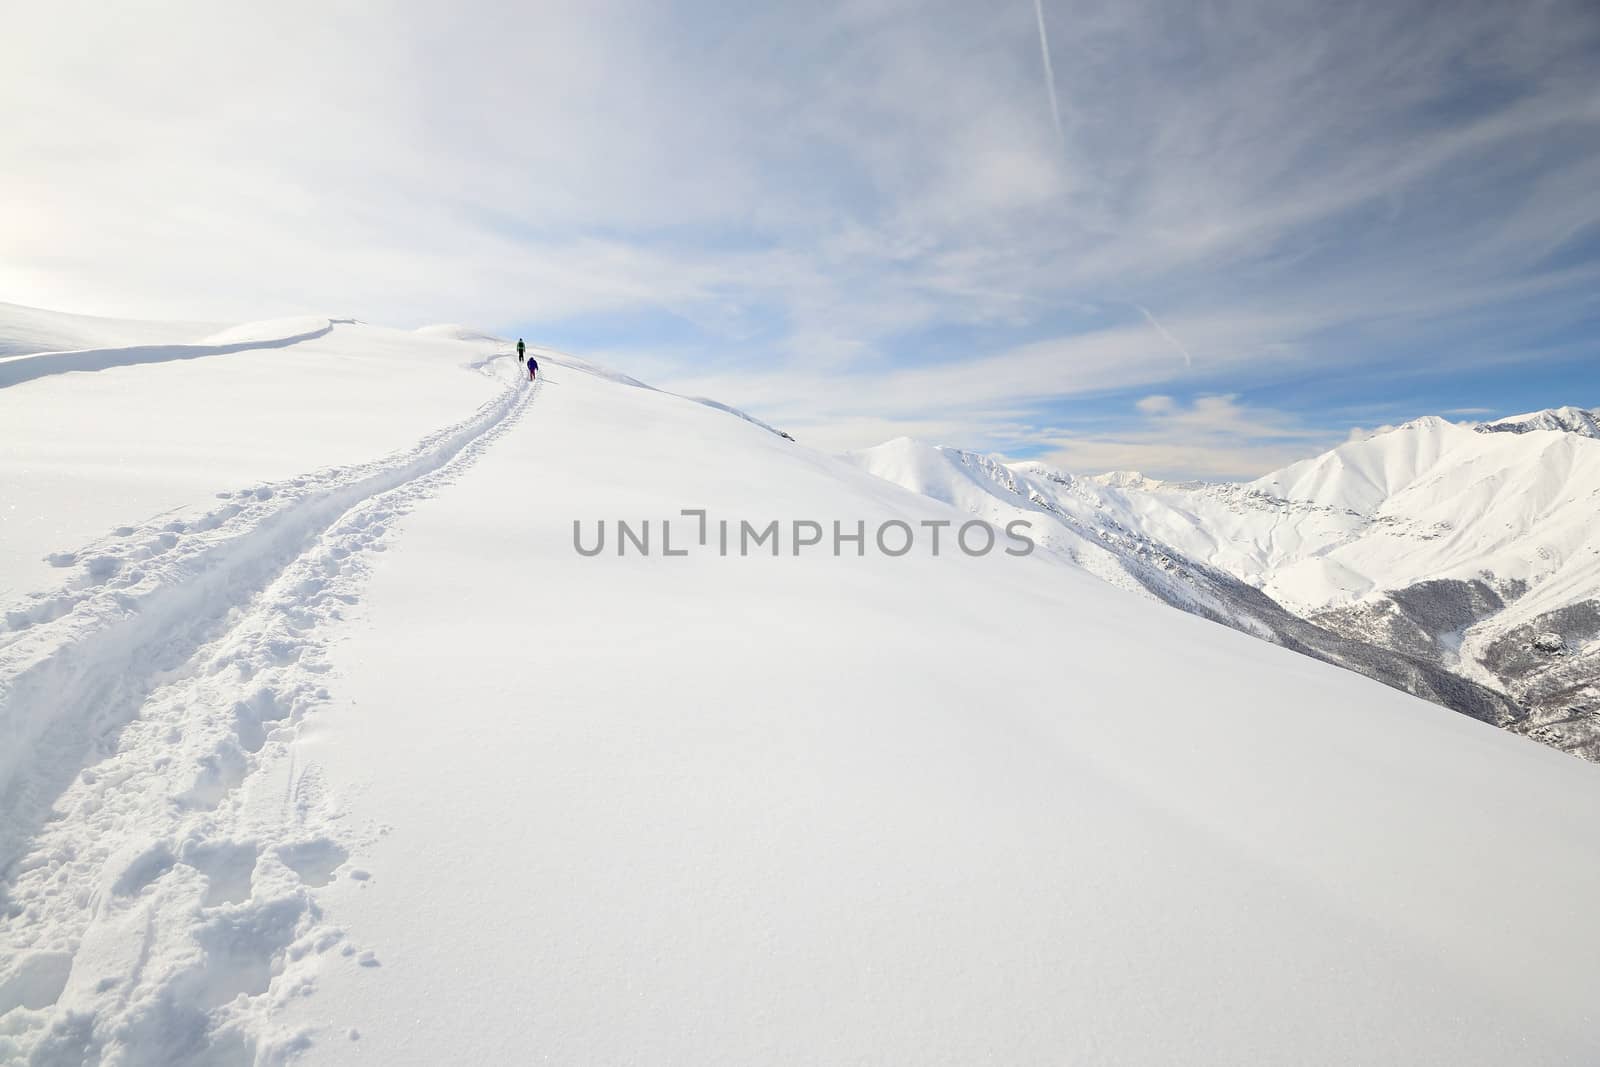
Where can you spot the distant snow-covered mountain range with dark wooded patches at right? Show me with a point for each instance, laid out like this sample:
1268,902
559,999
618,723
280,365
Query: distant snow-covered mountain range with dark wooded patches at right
1473,557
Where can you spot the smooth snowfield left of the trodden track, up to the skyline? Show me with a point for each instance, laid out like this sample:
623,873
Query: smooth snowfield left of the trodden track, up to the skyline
102,441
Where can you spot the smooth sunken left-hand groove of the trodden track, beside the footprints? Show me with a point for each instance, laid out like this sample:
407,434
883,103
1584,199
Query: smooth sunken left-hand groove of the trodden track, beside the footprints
78,663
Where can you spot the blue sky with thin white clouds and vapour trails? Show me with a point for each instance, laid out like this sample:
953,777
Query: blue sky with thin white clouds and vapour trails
1257,226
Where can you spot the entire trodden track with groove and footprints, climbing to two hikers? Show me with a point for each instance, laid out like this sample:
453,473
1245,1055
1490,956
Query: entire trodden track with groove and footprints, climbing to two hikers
140,897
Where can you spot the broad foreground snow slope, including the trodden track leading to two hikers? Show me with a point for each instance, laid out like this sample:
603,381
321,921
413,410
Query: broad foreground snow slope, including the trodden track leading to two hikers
377,767
